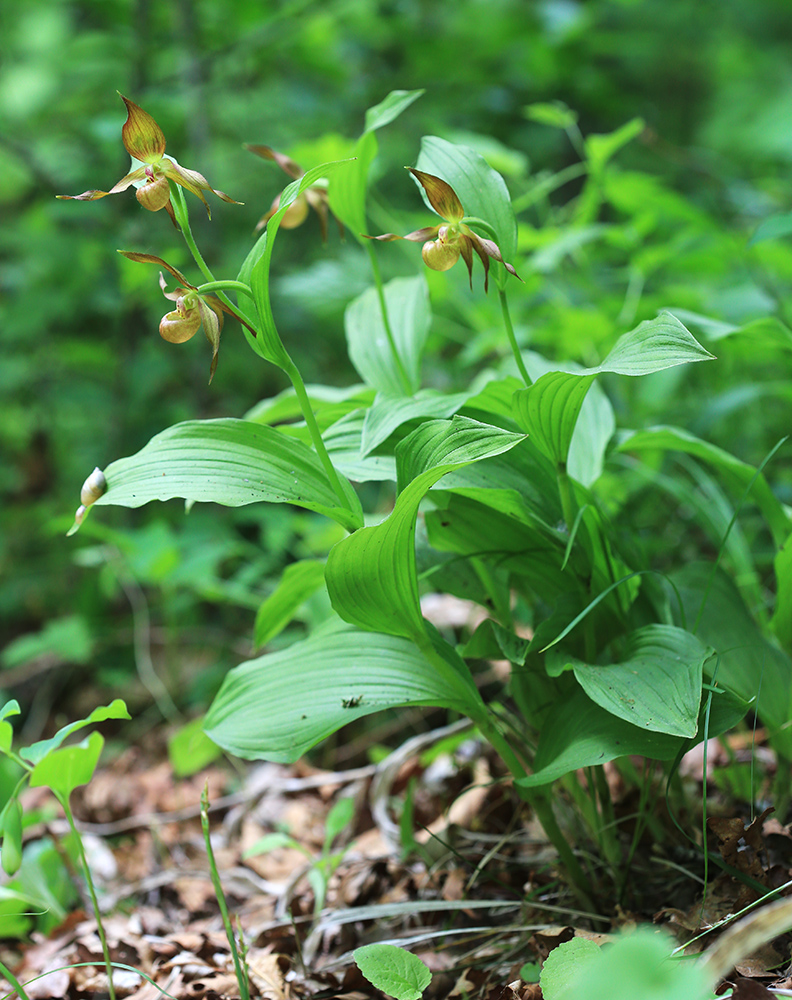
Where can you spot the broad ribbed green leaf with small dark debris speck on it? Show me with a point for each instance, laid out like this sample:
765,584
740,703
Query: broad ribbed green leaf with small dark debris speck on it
278,706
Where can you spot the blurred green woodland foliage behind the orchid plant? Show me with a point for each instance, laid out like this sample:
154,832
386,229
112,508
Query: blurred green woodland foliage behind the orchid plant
85,377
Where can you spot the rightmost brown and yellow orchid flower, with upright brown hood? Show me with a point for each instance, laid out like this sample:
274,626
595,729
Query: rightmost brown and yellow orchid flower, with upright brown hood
444,244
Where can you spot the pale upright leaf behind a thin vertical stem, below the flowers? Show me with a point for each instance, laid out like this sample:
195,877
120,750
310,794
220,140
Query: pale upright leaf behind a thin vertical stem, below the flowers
407,303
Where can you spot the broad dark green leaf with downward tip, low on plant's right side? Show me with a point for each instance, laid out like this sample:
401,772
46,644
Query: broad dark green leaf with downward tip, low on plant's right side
657,685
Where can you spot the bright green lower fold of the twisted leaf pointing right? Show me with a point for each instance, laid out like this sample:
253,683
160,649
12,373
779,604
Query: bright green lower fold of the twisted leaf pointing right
548,410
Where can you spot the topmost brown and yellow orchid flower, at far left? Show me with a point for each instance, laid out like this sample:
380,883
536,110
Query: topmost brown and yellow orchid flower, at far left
144,141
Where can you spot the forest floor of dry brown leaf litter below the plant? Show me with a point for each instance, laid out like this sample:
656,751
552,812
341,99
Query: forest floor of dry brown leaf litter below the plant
478,896
